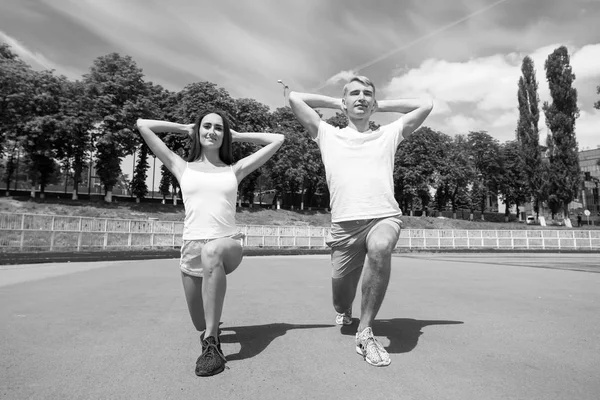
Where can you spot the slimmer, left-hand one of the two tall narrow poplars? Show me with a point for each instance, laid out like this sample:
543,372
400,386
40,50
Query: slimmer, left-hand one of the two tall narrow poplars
528,132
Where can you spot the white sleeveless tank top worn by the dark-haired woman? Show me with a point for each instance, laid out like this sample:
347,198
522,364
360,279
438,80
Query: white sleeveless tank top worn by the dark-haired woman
209,201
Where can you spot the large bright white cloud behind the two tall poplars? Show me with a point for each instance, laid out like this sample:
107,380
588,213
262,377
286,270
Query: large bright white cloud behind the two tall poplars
481,93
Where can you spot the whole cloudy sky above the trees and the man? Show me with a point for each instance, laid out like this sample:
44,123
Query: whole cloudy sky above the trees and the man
466,54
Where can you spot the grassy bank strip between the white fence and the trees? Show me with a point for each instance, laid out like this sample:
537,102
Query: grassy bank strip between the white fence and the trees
245,216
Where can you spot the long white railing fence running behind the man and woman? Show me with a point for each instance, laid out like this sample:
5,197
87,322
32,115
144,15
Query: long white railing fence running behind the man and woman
33,232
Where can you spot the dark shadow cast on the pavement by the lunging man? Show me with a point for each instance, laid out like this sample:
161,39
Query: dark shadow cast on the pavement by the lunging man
403,333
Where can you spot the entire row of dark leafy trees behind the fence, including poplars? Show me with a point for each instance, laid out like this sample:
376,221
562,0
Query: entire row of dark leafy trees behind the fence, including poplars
59,124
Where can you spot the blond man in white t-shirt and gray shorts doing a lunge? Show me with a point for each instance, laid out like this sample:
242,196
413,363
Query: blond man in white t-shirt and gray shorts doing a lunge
359,166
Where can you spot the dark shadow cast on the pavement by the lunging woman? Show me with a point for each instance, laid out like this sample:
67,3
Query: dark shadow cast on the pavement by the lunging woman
255,338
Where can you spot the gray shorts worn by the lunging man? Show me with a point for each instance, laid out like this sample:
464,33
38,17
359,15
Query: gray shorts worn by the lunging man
348,242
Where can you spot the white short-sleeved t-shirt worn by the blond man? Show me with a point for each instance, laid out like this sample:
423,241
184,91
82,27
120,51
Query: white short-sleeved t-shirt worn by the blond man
359,170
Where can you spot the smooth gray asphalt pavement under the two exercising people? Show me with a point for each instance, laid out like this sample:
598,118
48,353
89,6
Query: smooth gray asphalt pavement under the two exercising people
457,326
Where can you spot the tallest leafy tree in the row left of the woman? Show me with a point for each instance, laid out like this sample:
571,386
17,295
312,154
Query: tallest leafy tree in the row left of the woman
116,84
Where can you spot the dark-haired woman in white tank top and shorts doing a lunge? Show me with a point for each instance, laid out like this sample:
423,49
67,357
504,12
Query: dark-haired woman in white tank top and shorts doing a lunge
211,247
